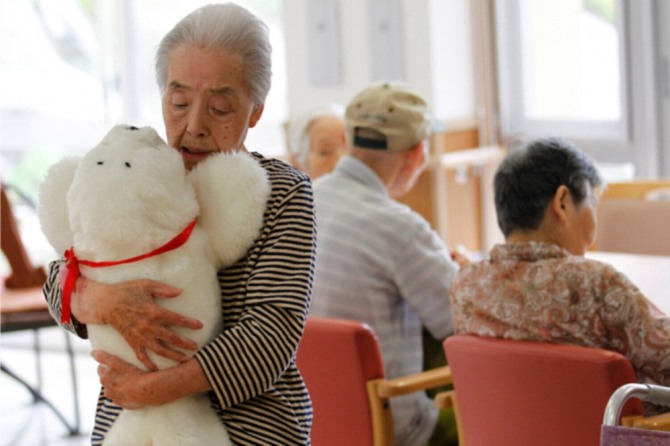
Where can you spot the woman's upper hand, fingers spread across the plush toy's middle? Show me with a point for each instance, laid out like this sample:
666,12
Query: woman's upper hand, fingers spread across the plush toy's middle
130,308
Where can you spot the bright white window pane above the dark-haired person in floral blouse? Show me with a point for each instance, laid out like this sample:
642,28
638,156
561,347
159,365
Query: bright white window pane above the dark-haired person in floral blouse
562,68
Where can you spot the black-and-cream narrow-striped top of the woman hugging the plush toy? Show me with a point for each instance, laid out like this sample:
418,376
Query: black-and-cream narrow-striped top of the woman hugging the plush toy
265,299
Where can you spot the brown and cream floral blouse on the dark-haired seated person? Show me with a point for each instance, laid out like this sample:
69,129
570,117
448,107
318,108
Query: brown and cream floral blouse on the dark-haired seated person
538,291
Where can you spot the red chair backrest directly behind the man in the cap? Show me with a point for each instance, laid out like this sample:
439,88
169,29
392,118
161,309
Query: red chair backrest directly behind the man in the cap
337,358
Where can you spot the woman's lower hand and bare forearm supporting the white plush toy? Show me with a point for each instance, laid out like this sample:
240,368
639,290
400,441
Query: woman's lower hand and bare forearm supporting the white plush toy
133,388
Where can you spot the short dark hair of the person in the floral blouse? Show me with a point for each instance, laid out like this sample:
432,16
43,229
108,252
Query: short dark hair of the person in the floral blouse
529,176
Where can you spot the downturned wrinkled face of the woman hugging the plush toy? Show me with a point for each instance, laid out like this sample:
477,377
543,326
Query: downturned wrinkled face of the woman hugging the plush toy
207,106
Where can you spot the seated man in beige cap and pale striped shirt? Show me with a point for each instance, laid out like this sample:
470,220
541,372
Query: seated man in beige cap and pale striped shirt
377,261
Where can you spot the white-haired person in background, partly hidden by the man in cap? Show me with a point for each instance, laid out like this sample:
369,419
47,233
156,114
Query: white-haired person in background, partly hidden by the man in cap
316,139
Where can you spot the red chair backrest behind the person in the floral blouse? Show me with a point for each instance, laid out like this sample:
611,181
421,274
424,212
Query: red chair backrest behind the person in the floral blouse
519,392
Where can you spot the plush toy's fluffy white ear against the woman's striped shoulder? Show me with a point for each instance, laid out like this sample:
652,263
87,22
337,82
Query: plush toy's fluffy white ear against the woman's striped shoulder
232,189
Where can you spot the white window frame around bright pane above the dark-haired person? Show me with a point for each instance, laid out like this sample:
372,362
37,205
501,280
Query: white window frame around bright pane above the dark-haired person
638,140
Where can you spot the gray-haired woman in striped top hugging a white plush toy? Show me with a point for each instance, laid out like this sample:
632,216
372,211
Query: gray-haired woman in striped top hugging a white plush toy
214,72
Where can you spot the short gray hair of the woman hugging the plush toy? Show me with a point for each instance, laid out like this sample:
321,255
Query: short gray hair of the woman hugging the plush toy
226,27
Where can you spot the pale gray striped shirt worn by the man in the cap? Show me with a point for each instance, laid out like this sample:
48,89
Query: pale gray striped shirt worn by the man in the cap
380,262
